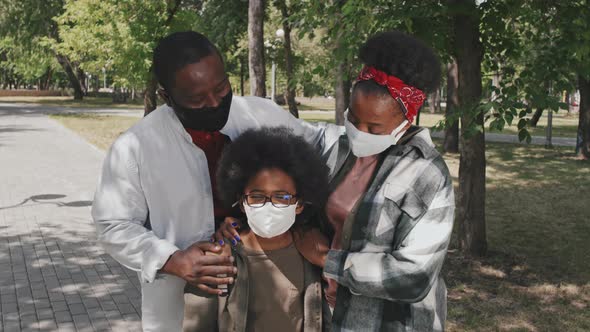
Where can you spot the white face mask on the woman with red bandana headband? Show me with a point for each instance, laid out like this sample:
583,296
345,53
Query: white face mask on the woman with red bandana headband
365,144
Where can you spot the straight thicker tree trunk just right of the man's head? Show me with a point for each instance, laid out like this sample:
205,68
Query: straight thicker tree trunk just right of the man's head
256,48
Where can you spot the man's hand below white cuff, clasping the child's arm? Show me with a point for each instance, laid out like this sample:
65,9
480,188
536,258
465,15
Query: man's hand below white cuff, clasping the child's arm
200,270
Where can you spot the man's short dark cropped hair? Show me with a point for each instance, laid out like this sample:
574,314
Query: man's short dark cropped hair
177,50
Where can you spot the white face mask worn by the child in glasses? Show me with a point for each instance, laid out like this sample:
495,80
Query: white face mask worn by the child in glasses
270,221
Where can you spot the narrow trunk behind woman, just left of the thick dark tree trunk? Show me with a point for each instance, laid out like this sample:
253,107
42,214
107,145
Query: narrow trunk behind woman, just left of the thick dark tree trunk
451,140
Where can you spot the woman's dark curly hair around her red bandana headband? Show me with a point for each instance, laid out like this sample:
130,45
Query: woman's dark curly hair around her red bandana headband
403,56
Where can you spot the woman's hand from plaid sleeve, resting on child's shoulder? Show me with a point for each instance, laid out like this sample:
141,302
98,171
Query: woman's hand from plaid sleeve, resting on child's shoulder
312,245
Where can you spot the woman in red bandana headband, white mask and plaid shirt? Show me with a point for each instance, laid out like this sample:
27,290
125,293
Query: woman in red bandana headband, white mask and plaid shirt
390,213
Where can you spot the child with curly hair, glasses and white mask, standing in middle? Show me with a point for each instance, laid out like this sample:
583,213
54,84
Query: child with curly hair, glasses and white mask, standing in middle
276,180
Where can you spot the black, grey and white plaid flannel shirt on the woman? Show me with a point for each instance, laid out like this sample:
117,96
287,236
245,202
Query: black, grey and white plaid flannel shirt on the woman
394,240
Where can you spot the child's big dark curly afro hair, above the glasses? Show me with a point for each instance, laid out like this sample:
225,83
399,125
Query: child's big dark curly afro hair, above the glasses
279,148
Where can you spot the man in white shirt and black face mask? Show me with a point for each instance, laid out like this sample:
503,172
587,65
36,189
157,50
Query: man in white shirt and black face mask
154,207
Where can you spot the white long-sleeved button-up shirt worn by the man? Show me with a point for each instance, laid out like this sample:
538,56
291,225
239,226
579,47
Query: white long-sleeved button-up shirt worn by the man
154,172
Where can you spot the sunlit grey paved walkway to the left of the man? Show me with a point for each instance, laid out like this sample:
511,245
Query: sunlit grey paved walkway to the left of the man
53,275
